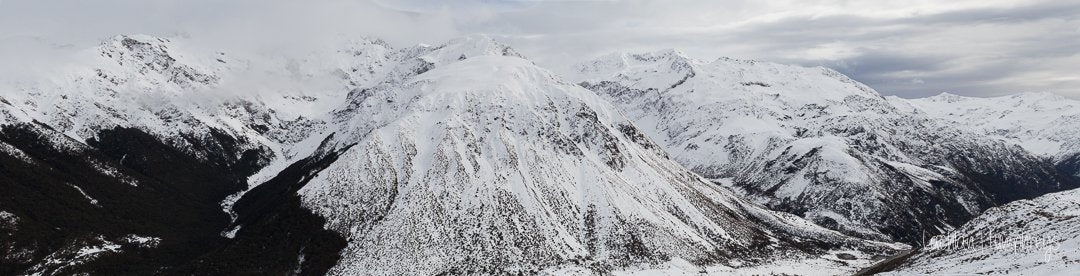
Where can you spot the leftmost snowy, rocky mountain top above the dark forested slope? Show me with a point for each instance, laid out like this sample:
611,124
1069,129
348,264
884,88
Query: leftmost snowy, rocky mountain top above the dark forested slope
179,96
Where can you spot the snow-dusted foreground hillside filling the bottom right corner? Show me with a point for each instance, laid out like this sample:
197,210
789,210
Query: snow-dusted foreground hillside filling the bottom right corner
1039,237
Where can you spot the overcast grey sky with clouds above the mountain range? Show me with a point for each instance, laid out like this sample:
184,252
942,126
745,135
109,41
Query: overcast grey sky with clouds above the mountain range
911,49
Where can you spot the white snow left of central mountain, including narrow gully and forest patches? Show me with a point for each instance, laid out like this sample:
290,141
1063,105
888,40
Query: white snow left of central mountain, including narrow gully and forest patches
169,90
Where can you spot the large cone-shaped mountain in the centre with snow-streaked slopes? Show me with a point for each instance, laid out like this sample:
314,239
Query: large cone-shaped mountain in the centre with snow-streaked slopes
469,159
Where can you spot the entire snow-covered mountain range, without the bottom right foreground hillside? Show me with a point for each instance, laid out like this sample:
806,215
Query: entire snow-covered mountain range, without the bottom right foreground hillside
155,156
